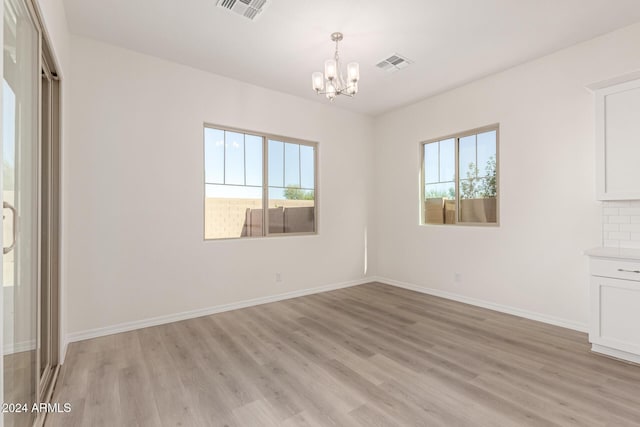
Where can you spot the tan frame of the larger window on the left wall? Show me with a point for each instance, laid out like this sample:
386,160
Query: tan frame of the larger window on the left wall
266,137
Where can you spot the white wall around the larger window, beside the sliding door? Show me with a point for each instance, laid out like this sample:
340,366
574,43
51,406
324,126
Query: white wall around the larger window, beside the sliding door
135,191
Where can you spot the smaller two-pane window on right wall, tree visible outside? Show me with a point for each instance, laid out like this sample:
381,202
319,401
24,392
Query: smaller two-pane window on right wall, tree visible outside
459,183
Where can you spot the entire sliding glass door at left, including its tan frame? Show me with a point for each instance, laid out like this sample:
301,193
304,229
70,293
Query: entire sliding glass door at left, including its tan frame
30,149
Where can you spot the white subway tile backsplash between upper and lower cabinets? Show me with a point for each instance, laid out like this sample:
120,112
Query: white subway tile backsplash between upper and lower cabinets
621,224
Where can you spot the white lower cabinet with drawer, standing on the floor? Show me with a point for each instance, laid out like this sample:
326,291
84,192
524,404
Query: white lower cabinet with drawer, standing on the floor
615,307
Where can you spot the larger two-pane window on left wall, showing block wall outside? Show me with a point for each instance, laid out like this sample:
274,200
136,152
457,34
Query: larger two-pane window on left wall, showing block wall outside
253,179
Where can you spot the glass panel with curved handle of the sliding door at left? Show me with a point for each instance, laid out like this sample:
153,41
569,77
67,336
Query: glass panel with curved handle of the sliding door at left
20,146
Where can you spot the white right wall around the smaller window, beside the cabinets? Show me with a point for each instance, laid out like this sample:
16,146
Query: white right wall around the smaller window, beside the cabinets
534,261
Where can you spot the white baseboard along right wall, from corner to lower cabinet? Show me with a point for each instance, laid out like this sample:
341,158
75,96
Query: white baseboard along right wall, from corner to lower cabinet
577,326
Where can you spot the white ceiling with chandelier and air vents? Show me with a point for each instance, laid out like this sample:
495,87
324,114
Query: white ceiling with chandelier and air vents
451,41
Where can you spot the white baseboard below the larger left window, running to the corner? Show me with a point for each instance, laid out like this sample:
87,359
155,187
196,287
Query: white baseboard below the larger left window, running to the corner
160,320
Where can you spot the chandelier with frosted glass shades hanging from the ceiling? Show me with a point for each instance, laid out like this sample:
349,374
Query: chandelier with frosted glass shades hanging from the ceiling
332,83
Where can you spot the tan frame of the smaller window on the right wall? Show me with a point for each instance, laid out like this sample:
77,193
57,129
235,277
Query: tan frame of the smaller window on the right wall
456,137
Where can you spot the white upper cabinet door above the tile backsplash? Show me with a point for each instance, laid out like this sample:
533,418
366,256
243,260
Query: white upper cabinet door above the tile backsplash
618,141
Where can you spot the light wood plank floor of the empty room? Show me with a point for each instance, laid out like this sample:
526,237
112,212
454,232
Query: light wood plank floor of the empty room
371,355
